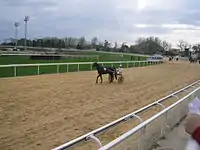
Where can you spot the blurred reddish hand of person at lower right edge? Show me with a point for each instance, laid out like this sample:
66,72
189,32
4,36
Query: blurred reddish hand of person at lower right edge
192,123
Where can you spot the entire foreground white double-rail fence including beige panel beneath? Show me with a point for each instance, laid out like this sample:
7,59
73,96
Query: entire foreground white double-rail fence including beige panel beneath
150,130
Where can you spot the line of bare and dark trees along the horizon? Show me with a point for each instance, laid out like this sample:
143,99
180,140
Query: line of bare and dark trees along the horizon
149,45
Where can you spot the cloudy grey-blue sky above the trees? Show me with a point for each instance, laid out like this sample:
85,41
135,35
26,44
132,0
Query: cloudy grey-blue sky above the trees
114,20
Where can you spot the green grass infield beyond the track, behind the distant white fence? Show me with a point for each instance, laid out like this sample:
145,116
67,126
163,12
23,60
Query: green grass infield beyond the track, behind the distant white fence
33,70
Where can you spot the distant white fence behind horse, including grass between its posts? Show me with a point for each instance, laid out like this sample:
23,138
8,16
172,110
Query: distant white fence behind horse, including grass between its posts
14,70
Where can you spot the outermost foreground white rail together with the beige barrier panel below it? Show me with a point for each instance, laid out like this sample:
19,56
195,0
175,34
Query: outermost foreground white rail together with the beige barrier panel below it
154,128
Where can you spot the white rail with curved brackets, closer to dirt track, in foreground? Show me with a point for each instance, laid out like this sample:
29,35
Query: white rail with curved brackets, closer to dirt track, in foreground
134,114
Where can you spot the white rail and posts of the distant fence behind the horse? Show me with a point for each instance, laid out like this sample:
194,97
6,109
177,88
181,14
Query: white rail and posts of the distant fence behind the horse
16,66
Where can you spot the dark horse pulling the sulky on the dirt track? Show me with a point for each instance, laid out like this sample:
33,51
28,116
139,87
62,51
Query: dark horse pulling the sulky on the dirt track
105,70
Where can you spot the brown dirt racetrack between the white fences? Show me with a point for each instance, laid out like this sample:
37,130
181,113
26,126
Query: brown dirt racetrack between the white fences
41,112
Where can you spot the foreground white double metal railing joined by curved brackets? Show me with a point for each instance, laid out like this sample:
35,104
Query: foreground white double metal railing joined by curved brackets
92,135
